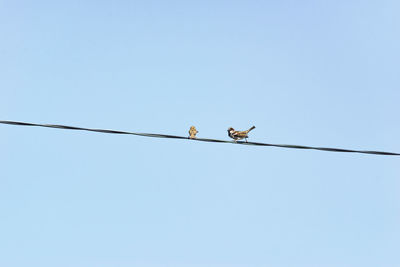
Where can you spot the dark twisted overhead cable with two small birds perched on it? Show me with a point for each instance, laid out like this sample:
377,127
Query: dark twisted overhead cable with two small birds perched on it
199,139
